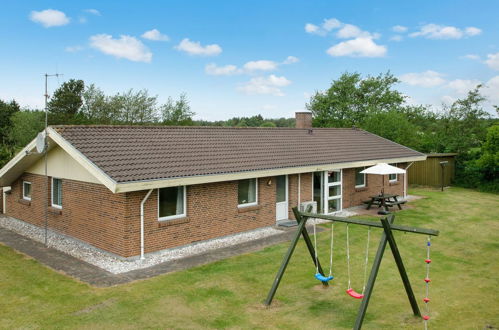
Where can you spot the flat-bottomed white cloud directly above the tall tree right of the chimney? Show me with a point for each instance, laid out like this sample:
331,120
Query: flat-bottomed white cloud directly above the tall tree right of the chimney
358,47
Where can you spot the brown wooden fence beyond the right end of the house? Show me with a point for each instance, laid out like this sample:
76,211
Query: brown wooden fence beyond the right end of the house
429,172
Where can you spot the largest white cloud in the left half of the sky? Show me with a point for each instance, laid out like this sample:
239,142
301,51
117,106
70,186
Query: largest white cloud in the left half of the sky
125,47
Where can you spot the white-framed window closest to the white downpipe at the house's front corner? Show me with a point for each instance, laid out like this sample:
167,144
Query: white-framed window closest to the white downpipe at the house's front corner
171,203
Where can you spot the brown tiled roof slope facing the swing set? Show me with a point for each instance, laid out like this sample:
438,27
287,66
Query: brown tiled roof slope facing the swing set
135,153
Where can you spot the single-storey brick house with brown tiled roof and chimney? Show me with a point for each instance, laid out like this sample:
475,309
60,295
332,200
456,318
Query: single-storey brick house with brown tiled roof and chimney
131,190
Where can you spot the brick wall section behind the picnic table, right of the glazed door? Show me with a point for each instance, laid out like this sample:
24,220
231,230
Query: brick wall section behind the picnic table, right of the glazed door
354,196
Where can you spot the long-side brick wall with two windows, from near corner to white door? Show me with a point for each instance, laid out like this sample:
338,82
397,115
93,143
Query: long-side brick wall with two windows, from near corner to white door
211,212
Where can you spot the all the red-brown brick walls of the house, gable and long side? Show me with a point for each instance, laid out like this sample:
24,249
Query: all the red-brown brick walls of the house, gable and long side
111,222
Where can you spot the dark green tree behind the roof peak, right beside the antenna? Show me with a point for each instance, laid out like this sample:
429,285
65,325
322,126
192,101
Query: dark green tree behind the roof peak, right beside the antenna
67,100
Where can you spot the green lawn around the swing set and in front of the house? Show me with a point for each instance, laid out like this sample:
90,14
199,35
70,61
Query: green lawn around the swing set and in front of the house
228,294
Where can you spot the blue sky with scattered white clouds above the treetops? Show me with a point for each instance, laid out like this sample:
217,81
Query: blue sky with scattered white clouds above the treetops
242,58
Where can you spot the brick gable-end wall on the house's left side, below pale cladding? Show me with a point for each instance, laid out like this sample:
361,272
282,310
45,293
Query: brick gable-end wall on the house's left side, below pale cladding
90,212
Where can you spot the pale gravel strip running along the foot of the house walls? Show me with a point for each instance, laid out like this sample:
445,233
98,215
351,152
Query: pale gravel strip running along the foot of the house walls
116,265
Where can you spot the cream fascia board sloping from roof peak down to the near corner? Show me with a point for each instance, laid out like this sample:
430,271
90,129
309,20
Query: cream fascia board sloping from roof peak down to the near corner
84,161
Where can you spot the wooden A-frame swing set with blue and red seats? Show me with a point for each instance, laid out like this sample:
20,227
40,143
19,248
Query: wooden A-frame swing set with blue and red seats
386,237
